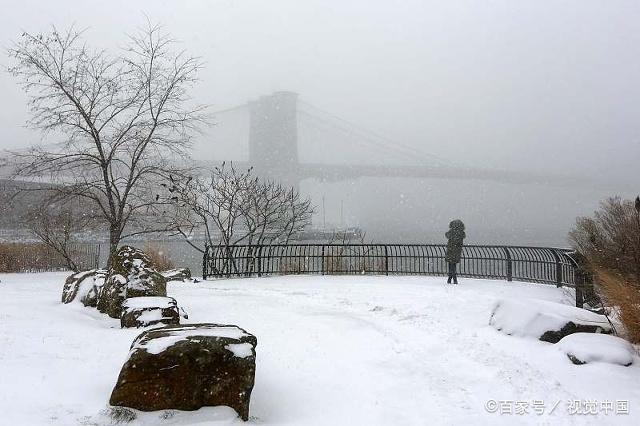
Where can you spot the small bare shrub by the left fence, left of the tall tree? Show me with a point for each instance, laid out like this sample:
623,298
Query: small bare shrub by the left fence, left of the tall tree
58,226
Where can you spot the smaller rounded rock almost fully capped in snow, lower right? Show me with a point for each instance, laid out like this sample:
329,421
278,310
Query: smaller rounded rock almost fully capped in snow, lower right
583,348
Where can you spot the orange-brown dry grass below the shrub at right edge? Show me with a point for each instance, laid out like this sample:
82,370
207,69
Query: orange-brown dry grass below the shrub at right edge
621,292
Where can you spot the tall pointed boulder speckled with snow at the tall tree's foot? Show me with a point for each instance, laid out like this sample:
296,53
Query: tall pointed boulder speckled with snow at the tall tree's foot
132,274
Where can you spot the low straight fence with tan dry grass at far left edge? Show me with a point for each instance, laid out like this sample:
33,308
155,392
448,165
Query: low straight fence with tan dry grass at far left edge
38,257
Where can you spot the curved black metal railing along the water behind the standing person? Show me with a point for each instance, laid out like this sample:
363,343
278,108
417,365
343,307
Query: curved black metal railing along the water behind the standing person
533,264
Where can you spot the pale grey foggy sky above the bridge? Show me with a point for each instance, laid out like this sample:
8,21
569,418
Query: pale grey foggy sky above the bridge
545,86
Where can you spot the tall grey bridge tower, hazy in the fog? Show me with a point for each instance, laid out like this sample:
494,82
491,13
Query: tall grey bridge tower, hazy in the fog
273,137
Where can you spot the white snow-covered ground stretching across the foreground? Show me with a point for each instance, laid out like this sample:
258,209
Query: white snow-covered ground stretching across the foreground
331,351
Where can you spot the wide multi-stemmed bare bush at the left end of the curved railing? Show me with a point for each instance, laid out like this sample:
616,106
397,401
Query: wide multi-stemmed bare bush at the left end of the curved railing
235,207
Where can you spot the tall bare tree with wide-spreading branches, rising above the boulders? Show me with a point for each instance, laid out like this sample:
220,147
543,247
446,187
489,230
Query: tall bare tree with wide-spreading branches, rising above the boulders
123,120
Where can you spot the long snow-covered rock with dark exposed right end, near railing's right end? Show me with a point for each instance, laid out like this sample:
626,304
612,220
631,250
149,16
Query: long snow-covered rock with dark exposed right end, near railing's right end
547,321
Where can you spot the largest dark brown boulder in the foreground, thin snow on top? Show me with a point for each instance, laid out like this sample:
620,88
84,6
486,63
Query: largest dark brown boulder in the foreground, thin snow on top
188,367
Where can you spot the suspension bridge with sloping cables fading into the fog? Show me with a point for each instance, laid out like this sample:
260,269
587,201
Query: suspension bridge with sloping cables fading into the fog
280,123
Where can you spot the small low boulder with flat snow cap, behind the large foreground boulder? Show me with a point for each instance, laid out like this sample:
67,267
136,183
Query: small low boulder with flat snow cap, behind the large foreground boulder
145,311
